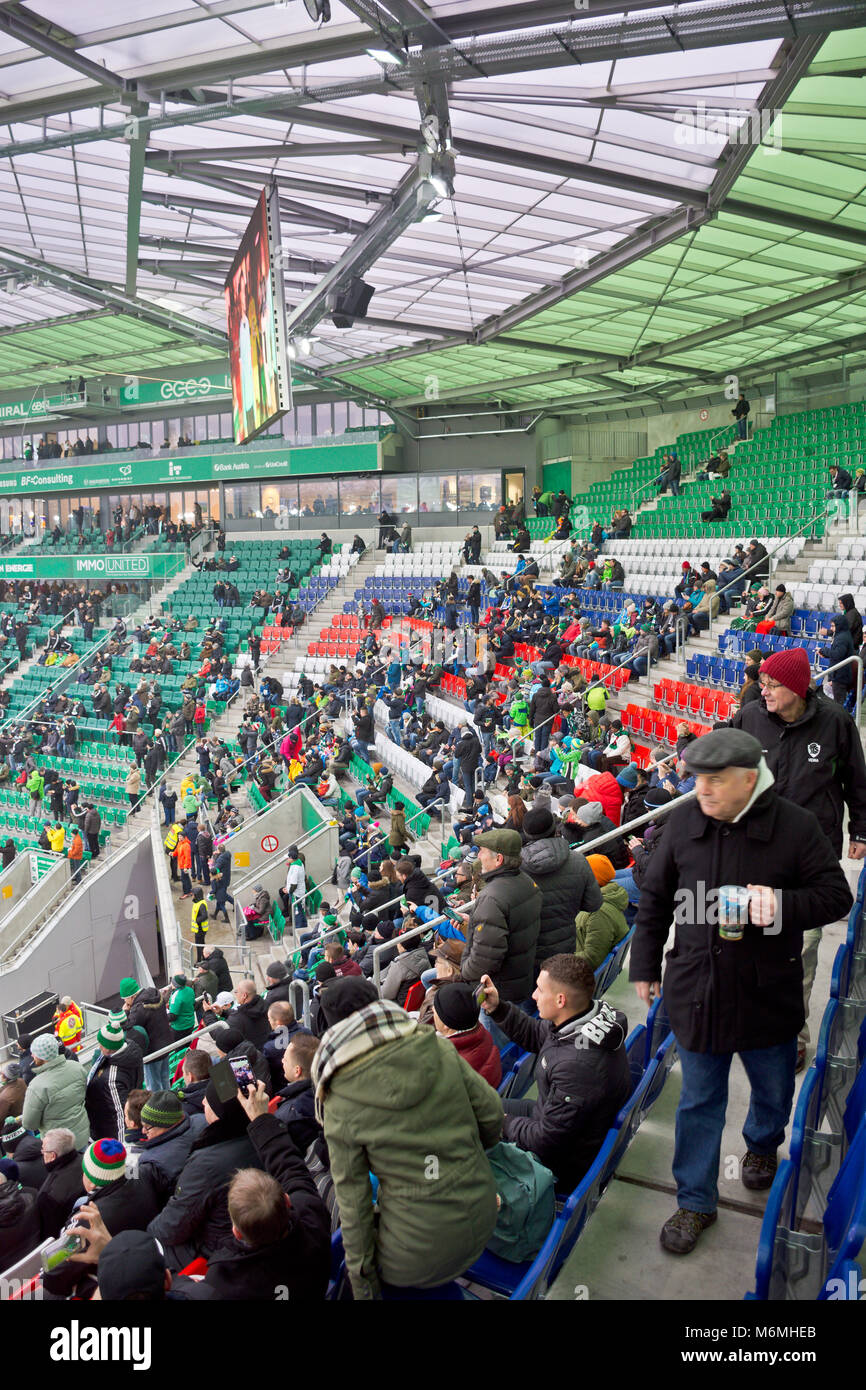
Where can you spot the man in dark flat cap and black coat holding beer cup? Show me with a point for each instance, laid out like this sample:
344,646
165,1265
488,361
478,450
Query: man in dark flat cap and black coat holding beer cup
743,874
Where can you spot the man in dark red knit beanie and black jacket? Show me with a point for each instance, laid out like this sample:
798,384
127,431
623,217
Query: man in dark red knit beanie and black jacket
814,750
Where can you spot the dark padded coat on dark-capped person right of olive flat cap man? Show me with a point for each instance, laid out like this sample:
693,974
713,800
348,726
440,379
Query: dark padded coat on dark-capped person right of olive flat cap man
568,888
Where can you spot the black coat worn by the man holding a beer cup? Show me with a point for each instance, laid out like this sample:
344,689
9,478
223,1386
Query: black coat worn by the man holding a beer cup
736,996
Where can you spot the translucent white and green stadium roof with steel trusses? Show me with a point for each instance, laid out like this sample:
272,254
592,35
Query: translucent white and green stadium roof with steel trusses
618,201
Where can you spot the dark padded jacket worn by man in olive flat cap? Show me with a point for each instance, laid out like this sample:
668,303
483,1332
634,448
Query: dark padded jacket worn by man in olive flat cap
503,933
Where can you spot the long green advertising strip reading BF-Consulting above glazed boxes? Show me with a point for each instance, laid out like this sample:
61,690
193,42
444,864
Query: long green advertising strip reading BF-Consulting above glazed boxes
205,469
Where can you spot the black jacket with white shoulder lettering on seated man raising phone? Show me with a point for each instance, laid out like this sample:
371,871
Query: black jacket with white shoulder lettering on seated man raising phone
583,1079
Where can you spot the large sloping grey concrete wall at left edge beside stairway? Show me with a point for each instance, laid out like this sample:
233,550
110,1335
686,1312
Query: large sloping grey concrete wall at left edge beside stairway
85,949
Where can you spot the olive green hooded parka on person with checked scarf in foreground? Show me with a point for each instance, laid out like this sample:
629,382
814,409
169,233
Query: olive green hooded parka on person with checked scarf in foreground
418,1117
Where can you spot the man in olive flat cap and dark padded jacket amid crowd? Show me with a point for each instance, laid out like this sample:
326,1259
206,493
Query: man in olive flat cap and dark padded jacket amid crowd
504,921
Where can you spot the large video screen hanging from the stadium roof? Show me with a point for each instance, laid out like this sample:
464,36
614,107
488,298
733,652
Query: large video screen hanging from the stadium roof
256,326
